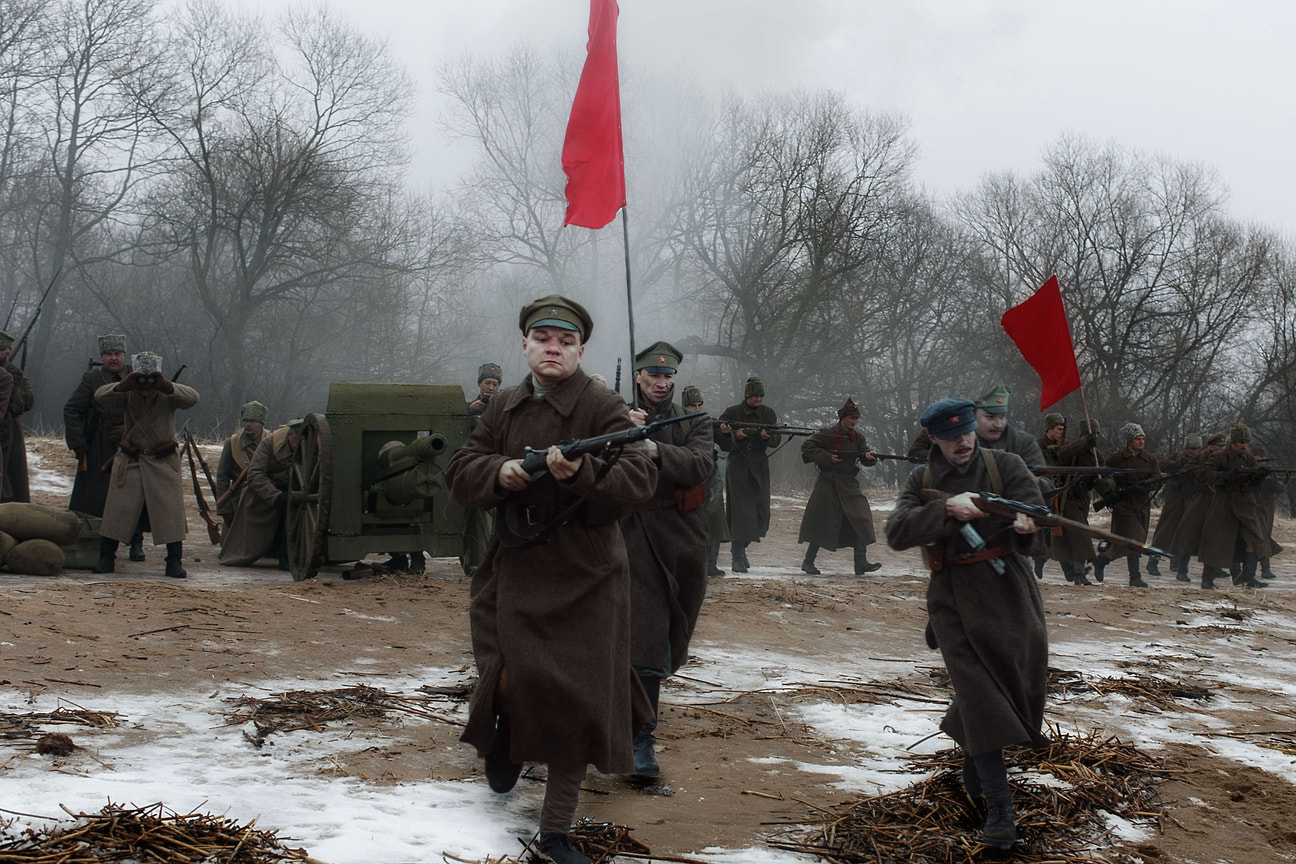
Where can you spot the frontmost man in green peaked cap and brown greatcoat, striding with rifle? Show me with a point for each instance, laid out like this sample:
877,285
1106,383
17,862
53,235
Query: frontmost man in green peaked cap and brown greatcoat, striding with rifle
550,604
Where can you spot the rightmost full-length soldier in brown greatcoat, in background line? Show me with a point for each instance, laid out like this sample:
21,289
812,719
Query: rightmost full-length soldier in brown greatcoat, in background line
1232,533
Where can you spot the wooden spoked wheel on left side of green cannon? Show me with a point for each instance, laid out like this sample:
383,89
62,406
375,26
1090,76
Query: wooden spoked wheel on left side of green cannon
310,497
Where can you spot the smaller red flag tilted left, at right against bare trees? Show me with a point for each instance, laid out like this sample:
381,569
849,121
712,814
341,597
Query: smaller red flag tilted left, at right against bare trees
1040,328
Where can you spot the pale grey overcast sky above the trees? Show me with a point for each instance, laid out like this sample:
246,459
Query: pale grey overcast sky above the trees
987,86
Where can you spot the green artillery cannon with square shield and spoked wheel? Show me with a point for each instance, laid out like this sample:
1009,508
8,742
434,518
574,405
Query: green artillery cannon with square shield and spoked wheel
370,476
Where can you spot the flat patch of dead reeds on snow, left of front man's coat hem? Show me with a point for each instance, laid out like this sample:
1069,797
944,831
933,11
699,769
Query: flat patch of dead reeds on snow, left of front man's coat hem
314,711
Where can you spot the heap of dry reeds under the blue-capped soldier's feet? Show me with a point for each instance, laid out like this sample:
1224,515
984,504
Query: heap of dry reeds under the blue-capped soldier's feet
1063,797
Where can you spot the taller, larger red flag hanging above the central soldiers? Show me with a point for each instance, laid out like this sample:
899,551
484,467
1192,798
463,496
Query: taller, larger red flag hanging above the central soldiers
592,152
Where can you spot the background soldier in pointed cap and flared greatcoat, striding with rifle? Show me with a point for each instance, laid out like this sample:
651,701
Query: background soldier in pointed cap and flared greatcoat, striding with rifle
838,514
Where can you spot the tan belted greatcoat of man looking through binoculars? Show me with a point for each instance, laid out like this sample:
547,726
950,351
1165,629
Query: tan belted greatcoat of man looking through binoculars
151,480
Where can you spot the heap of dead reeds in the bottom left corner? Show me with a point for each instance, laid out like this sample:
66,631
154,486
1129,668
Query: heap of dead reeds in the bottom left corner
150,834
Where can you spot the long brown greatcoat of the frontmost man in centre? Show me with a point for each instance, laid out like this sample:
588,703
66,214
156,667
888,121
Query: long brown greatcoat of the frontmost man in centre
555,615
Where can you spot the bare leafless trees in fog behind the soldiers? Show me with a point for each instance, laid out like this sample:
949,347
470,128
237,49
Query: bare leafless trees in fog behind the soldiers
234,195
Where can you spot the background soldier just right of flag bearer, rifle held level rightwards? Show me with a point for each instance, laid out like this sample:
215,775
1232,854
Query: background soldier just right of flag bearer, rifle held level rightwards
747,479
